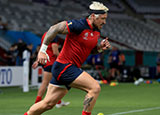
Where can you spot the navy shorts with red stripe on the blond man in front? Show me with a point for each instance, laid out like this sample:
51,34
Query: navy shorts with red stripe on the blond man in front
64,74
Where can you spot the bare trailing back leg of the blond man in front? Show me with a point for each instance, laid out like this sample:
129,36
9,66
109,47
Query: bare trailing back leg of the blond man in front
54,94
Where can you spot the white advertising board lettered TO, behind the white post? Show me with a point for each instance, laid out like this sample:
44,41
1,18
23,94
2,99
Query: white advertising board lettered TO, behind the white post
13,76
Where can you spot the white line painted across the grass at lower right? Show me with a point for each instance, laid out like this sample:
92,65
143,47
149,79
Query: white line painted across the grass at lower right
134,111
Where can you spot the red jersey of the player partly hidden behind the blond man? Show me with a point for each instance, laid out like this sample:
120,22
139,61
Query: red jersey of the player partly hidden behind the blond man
49,51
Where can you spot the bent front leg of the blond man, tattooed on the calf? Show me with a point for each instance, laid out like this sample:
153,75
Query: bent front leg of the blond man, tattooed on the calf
91,86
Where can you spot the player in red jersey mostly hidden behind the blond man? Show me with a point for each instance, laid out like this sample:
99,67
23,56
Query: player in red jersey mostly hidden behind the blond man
53,53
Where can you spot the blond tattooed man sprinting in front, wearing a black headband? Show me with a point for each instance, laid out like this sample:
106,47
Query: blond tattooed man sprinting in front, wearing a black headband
82,37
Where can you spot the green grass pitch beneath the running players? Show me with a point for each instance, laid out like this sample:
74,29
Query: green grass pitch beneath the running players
121,98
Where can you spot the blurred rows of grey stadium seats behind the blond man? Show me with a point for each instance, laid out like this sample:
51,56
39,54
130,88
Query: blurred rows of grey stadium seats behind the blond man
124,30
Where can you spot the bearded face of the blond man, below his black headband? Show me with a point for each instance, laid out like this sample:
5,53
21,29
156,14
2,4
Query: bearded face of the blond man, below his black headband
100,20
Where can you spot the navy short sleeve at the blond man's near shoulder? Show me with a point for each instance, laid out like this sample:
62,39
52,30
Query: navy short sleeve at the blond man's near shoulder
75,26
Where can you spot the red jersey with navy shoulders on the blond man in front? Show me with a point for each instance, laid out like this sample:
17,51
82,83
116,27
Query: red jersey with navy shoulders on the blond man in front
79,42
